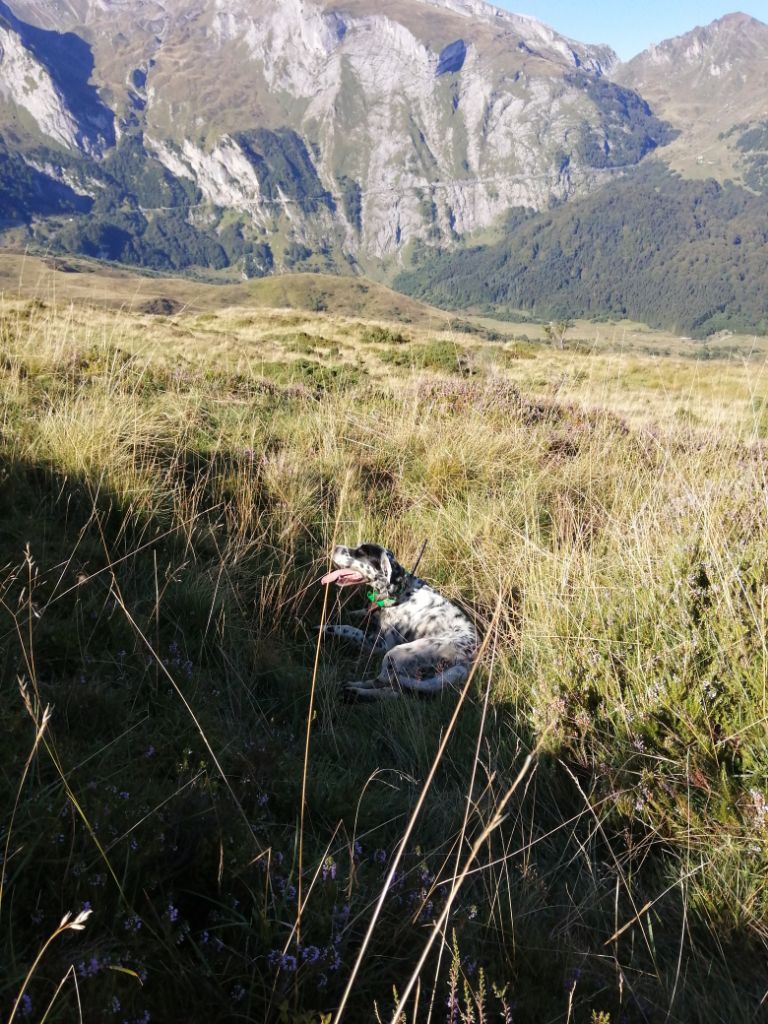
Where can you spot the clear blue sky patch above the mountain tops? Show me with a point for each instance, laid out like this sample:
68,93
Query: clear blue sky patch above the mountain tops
630,29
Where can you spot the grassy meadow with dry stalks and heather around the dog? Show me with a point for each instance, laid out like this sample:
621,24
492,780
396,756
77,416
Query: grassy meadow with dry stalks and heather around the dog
580,836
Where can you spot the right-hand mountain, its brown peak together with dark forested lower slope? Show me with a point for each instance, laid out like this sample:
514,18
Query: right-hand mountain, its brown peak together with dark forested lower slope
678,242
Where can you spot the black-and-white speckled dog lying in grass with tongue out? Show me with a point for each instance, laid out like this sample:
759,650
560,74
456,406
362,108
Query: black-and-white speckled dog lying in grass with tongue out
428,644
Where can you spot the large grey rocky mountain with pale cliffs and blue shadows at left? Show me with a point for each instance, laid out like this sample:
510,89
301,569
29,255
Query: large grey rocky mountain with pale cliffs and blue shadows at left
271,135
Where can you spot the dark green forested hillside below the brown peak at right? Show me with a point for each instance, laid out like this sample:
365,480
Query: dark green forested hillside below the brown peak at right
654,247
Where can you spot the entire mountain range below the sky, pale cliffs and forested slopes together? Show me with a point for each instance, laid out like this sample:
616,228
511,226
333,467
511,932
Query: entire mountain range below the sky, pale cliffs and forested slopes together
249,138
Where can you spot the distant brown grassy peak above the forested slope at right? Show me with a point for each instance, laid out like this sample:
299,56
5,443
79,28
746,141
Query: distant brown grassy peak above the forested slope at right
712,86
